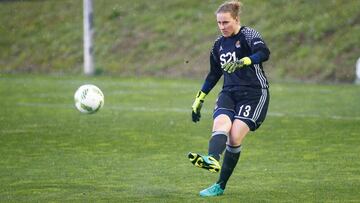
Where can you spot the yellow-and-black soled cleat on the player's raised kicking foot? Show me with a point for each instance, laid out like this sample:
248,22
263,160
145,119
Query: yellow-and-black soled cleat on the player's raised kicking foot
206,162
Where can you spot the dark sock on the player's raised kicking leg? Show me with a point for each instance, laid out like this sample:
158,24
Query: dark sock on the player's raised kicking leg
217,144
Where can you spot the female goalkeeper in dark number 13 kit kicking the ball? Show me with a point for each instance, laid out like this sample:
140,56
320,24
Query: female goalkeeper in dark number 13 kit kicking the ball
243,101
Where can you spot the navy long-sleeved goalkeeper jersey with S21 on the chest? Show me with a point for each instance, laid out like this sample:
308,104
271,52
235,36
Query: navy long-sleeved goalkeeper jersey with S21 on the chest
246,43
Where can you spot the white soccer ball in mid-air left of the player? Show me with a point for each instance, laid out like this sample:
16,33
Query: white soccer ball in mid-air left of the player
89,99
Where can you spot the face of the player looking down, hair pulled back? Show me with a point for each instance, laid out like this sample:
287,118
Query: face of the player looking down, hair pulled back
227,24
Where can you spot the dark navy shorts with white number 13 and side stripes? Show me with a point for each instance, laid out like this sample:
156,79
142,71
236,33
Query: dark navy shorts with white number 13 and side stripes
248,105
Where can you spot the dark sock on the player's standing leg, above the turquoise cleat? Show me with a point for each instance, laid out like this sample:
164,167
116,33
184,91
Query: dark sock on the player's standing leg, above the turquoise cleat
232,155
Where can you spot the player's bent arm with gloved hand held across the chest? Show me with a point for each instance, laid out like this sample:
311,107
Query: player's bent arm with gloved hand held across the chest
259,50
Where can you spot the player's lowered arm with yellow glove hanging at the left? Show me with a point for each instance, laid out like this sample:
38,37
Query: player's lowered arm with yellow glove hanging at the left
210,81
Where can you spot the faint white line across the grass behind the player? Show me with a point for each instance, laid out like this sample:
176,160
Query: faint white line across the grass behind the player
188,111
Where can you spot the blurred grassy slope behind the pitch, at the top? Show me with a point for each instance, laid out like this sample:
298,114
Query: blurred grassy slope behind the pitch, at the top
312,41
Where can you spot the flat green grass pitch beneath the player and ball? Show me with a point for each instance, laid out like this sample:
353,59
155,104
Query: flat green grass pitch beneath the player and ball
134,149
